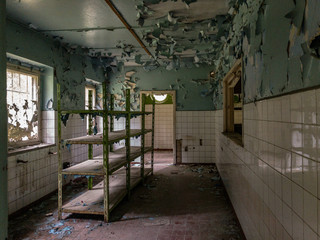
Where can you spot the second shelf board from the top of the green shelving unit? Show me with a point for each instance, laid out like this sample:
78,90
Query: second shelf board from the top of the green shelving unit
114,136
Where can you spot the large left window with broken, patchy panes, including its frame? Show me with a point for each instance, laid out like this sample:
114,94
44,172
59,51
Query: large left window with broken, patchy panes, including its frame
23,106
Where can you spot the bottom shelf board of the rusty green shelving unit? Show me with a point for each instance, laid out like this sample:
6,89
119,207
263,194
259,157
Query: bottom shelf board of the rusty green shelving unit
91,201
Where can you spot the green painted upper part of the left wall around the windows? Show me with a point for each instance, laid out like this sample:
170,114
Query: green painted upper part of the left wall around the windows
68,67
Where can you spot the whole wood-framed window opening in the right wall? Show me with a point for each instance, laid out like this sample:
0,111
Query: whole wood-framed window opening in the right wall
232,103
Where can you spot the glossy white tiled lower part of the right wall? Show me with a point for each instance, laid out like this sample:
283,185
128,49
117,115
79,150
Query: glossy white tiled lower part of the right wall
274,181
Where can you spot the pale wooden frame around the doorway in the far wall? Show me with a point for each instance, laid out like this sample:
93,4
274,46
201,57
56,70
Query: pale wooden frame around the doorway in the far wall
173,94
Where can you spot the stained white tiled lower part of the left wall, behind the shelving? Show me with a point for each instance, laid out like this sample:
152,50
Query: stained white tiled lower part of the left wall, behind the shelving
28,182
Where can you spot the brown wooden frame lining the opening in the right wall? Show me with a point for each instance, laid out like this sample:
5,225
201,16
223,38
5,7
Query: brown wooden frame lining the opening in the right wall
229,82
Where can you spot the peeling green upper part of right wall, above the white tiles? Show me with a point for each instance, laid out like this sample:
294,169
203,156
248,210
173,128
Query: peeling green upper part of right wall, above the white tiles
275,38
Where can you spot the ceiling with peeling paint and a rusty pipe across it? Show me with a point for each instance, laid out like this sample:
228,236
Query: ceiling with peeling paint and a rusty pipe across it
170,30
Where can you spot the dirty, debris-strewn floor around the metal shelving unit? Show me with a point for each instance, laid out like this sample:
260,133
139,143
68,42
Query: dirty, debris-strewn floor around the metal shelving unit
184,202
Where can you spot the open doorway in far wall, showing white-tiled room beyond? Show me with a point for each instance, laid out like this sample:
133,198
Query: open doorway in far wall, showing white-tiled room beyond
165,128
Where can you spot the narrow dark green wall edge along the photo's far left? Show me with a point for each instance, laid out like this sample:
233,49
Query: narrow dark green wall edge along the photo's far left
3,128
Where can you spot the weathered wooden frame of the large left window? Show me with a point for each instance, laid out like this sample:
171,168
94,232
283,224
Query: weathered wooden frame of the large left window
34,73
